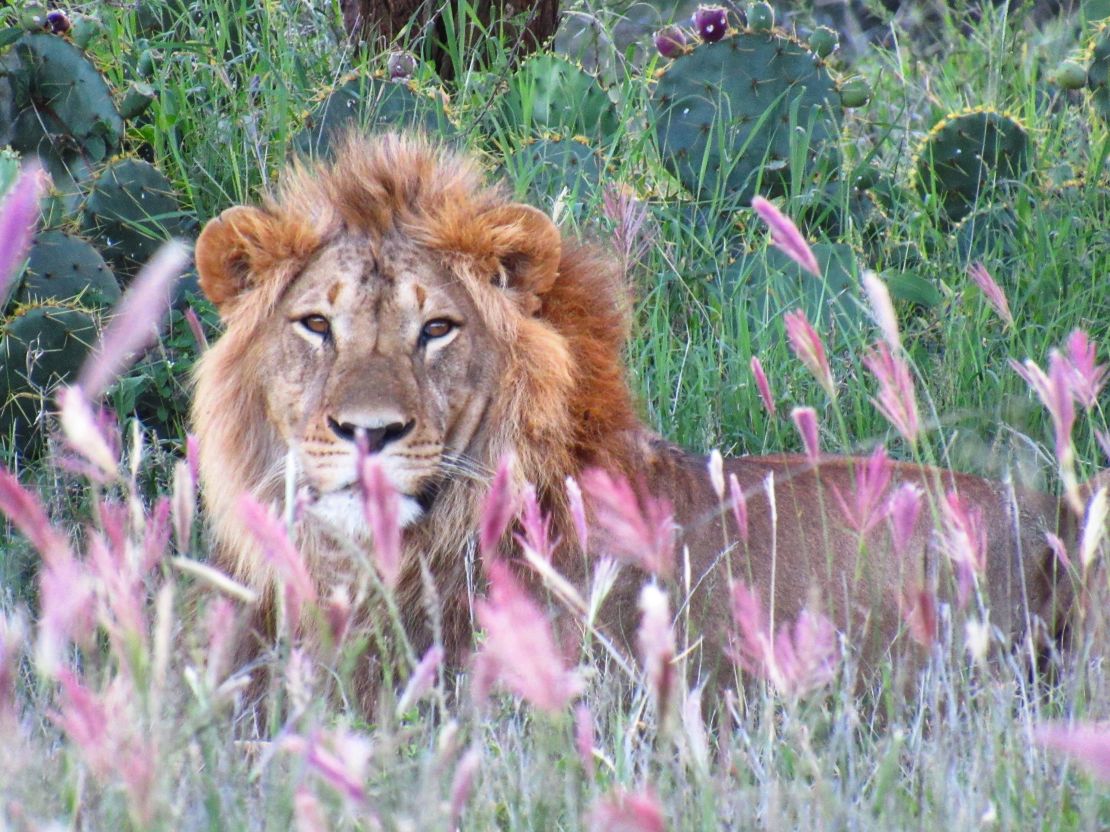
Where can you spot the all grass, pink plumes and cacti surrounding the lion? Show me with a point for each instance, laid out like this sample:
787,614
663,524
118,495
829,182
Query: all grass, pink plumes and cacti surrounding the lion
970,175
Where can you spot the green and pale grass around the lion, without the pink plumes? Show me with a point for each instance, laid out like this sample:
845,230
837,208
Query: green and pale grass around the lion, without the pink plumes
956,752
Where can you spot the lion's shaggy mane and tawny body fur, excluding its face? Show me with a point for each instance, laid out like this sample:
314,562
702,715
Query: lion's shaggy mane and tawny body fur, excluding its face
557,314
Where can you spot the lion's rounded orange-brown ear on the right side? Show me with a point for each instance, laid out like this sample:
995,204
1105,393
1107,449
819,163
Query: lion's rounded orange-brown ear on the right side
528,245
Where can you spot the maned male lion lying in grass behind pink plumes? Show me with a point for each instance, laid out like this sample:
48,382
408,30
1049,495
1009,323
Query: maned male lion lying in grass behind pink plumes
391,297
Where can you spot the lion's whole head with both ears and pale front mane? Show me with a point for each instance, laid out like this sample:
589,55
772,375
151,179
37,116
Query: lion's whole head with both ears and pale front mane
389,301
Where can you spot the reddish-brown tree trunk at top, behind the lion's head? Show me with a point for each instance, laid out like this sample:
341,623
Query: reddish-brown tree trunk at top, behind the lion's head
380,23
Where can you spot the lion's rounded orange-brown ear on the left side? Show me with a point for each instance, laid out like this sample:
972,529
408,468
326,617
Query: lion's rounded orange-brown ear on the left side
226,250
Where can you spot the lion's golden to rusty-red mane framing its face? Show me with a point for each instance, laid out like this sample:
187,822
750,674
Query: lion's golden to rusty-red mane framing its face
568,407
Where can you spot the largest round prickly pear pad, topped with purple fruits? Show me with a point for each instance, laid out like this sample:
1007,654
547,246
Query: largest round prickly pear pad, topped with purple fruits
725,114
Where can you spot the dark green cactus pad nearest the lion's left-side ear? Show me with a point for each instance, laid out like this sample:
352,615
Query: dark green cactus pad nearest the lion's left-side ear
130,211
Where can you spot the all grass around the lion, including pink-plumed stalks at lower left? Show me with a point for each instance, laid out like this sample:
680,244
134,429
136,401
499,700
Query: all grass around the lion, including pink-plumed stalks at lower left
138,718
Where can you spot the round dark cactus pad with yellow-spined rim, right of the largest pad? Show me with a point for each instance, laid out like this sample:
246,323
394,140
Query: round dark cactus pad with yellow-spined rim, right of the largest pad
967,154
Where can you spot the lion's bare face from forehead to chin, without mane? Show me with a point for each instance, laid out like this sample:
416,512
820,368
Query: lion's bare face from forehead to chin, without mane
377,343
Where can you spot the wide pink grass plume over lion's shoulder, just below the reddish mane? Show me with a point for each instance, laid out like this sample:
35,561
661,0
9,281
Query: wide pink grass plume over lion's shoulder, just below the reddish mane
637,529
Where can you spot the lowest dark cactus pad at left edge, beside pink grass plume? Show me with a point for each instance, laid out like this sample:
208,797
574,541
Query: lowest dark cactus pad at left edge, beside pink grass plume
42,347
